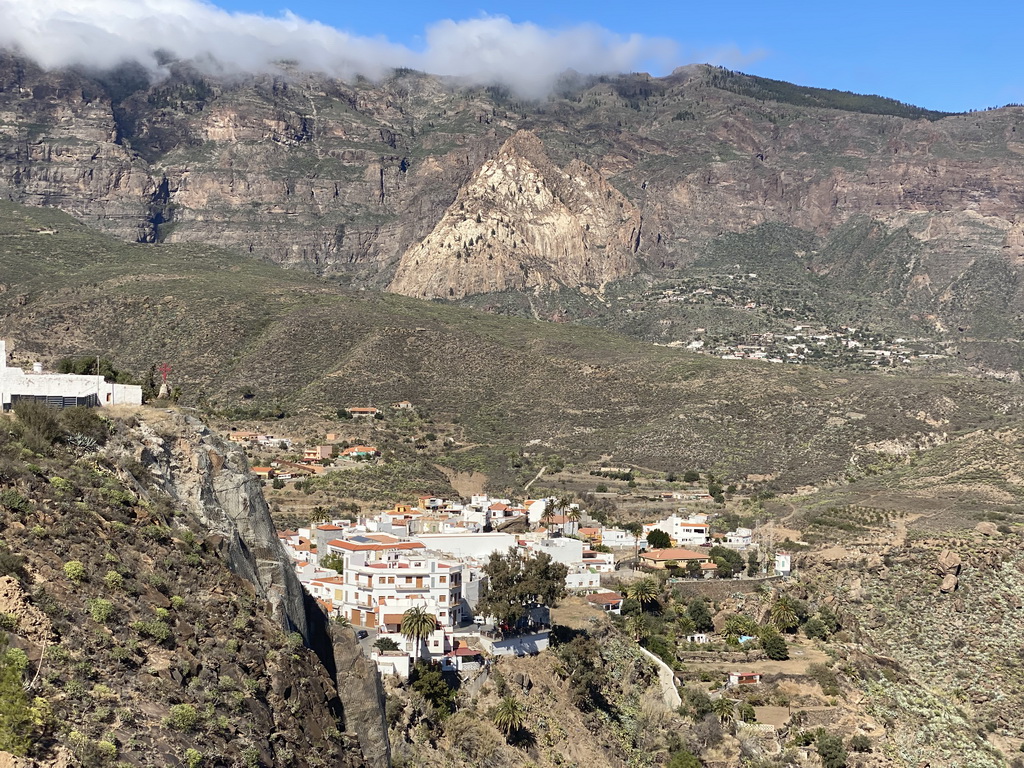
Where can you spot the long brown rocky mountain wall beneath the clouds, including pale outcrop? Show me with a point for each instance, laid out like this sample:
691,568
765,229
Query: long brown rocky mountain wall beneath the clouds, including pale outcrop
366,180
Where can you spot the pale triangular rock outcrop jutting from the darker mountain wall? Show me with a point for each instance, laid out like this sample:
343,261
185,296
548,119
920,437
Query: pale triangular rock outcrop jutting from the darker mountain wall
523,223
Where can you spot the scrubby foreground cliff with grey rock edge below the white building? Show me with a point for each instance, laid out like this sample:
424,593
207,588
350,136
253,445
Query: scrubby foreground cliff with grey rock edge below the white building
155,618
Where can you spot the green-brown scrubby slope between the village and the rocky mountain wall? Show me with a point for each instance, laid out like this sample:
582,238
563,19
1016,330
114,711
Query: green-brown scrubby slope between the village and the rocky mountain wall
246,336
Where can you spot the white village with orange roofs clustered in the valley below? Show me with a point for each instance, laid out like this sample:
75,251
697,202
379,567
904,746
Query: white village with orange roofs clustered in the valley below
430,557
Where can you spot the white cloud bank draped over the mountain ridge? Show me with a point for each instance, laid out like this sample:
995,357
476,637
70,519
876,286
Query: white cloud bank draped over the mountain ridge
490,50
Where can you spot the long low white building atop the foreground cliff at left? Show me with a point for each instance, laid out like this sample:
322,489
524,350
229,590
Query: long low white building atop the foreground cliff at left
61,391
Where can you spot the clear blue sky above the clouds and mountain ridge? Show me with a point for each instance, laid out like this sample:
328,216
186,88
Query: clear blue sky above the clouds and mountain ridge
933,55
